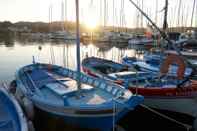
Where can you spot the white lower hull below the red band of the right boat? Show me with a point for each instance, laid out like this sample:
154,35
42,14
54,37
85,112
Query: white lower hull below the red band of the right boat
181,105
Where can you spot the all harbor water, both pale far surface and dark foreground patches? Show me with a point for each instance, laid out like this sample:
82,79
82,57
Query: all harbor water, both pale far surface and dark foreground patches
15,53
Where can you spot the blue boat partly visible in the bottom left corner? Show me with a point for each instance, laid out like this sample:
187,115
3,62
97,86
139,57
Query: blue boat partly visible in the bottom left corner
12,117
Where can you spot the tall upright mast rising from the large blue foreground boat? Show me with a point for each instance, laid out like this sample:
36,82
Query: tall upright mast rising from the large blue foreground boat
78,46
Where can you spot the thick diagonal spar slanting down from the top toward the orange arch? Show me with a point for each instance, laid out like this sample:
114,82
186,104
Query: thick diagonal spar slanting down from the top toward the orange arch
169,42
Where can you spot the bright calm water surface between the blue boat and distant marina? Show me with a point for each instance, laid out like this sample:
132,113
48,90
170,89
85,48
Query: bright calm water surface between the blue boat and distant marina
20,52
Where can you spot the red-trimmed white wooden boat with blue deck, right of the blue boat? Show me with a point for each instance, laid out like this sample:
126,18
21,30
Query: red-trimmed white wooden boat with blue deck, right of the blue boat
166,93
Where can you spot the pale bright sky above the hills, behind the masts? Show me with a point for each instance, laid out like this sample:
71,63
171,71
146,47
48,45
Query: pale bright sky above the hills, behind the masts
91,11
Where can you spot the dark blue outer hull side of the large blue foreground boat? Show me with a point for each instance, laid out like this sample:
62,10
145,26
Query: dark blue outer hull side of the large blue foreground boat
102,122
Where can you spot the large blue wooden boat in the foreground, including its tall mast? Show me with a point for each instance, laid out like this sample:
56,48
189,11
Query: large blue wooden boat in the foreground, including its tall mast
79,99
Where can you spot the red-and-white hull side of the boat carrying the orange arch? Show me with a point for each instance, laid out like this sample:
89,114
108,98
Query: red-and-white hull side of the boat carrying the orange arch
171,99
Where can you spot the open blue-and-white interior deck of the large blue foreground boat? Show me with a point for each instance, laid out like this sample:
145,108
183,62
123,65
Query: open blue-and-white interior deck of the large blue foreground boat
59,86
